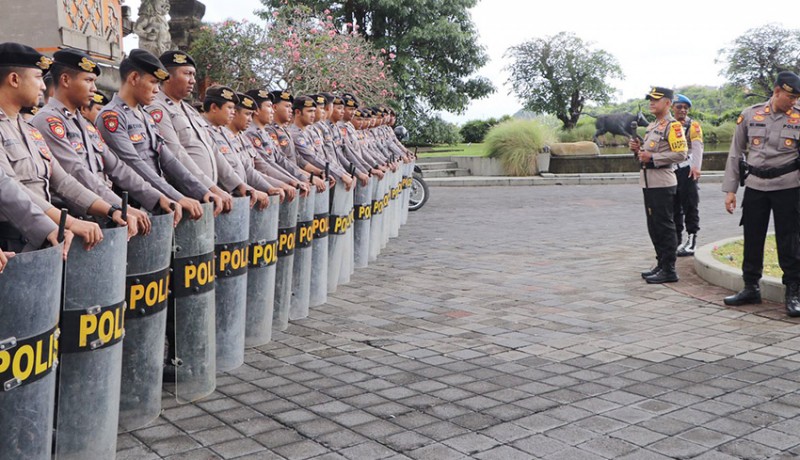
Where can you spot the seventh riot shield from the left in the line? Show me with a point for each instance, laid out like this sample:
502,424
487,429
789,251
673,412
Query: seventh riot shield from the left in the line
287,228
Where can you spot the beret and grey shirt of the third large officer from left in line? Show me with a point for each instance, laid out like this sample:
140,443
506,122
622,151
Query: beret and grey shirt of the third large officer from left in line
133,135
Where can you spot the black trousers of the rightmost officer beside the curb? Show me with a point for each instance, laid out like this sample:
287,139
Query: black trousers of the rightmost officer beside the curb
785,208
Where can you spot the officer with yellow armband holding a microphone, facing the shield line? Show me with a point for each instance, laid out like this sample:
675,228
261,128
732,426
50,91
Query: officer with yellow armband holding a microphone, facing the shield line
663,146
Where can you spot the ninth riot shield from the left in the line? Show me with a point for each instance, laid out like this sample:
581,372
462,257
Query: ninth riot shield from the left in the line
319,258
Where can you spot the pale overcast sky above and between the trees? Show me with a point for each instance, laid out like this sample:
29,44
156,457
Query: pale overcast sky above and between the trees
656,44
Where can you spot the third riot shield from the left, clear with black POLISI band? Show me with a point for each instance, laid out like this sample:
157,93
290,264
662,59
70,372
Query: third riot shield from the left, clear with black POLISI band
146,295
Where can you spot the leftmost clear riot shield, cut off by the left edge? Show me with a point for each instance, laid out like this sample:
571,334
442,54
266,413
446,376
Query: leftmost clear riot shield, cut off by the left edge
30,294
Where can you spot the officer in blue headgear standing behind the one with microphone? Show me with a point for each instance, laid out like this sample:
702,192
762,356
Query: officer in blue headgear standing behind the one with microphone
687,198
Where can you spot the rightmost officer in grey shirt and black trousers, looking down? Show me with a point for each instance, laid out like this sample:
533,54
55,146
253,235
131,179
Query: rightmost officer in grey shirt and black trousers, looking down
769,133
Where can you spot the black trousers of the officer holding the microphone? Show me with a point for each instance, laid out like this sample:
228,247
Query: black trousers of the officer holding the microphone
659,204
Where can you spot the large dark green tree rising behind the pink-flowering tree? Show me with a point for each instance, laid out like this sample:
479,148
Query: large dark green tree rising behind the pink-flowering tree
435,43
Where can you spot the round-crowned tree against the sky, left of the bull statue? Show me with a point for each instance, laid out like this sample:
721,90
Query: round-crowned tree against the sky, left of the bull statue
559,74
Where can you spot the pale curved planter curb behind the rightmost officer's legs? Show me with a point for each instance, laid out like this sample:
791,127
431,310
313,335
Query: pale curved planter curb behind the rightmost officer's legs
723,275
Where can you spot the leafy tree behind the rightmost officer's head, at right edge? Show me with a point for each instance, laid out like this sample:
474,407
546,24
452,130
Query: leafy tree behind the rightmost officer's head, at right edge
757,56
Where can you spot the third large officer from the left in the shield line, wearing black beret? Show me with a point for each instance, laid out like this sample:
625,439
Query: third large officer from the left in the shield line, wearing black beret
133,134
